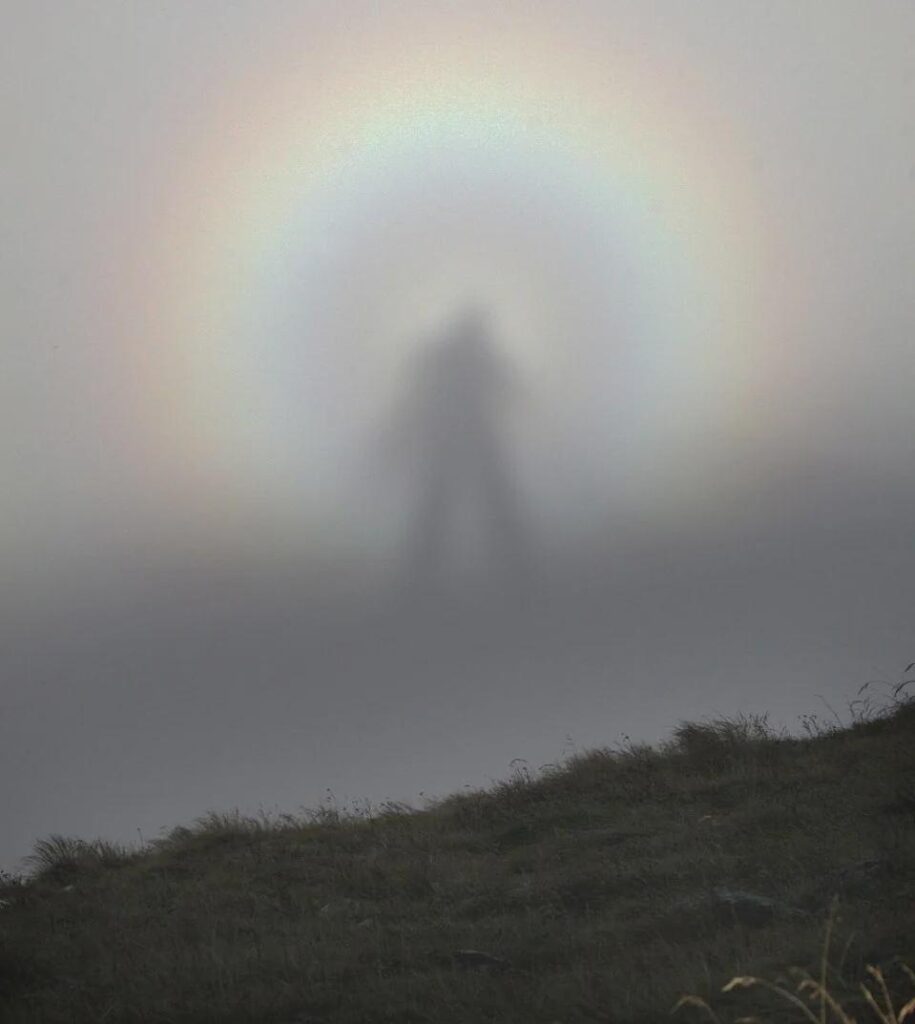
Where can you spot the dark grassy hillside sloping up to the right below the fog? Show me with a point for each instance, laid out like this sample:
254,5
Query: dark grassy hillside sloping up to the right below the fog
600,890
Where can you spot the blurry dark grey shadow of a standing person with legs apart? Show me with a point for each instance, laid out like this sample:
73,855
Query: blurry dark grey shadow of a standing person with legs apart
455,414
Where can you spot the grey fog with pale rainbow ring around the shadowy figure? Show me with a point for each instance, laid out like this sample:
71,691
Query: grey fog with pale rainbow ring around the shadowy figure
234,234
